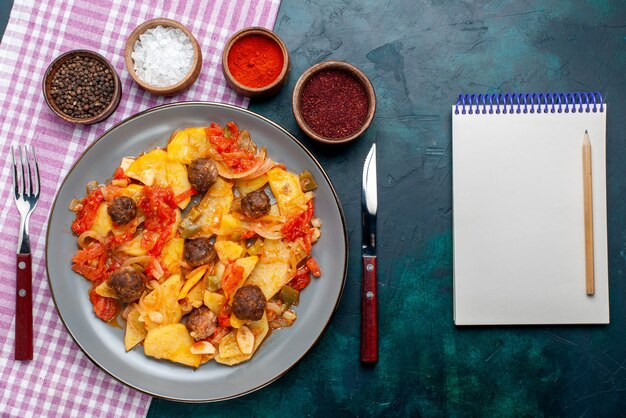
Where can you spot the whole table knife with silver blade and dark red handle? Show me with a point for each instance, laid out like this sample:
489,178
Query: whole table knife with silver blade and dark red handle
369,299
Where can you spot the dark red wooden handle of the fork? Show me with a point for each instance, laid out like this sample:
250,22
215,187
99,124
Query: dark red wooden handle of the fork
24,309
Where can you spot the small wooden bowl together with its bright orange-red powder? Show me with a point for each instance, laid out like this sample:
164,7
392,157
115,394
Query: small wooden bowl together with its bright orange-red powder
255,62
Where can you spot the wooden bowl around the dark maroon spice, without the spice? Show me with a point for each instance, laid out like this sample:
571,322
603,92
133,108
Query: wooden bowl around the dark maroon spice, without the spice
325,66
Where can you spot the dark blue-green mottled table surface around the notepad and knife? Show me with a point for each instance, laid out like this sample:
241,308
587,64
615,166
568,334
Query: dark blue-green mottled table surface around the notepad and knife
420,55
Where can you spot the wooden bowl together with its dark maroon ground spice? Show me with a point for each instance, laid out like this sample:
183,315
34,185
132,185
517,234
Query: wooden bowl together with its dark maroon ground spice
334,102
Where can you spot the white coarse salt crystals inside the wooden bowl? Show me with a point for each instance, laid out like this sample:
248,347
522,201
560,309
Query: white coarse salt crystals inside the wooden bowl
163,56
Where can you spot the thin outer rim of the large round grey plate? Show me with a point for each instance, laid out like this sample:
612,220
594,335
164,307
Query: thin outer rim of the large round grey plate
53,208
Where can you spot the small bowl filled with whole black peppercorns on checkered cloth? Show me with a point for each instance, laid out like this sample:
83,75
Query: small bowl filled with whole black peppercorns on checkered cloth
81,86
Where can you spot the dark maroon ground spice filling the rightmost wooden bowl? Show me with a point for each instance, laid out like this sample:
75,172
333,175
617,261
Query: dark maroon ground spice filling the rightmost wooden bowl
334,104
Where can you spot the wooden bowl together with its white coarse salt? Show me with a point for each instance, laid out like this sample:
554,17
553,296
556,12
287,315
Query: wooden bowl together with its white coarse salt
163,57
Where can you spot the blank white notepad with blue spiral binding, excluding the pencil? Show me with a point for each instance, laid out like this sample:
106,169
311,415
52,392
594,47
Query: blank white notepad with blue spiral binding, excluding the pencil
518,210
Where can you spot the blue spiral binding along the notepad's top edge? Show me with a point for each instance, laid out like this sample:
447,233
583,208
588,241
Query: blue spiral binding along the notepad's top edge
529,102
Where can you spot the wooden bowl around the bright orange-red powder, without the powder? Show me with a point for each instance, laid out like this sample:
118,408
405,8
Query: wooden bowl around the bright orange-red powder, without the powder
261,92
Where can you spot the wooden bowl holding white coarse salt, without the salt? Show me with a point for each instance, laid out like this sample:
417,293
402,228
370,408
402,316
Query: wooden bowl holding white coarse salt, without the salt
174,89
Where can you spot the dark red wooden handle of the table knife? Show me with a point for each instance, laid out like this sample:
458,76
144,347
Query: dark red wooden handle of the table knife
369,312
